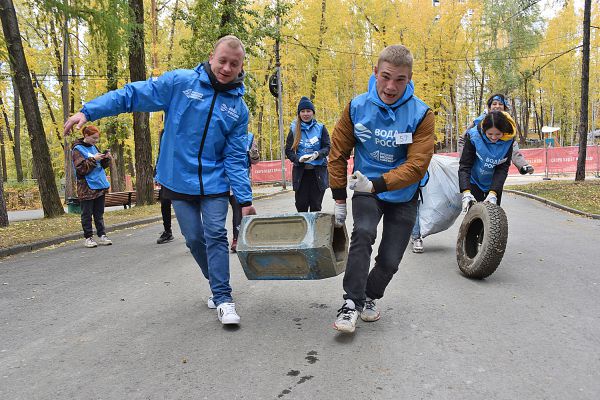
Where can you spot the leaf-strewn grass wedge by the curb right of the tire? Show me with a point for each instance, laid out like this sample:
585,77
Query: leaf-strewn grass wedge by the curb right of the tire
583,196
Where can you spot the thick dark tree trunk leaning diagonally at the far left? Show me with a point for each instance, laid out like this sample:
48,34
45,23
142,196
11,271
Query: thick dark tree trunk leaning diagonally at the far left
42,164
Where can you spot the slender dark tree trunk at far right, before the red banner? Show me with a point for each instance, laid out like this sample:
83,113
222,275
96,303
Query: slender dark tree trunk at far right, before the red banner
585,88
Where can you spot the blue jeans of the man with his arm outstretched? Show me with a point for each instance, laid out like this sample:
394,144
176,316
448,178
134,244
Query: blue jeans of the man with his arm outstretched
202,224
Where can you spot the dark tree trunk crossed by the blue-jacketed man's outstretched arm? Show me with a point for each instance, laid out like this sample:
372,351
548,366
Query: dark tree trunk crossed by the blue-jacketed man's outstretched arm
141,128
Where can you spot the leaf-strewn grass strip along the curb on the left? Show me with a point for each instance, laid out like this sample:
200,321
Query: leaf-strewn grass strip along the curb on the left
24,232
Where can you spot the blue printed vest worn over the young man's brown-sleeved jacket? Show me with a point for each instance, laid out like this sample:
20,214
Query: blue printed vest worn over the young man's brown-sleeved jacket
381,132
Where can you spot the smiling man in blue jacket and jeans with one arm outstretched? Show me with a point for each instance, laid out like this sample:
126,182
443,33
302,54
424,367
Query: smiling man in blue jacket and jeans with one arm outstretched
202,156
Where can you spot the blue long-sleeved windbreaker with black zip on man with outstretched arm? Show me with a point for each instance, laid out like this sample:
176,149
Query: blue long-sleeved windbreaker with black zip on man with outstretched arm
203,148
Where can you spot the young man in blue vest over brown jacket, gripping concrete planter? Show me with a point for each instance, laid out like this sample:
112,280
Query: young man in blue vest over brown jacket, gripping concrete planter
392,134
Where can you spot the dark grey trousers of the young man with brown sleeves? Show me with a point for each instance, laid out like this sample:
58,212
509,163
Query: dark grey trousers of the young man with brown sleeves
398,221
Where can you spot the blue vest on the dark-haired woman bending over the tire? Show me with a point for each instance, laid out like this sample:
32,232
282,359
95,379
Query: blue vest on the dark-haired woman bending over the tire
489,155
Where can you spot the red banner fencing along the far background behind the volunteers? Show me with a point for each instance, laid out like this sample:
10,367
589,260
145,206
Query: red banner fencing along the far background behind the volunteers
561,160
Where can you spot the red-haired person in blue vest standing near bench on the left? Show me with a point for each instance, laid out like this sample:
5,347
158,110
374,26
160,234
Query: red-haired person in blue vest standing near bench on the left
92,184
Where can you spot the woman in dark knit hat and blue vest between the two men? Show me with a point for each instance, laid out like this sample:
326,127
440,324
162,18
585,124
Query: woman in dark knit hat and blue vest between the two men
307,147
